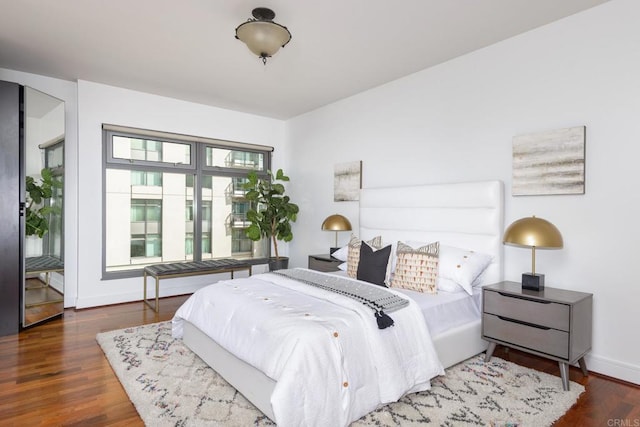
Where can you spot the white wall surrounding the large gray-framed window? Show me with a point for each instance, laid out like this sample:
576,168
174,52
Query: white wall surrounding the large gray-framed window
98,104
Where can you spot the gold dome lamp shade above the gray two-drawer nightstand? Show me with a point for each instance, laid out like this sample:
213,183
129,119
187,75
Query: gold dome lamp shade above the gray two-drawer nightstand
533,232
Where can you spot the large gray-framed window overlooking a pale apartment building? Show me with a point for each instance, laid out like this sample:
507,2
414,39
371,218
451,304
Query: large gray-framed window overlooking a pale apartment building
170,198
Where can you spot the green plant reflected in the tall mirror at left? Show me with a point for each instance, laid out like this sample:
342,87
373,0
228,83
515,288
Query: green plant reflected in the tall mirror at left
37,211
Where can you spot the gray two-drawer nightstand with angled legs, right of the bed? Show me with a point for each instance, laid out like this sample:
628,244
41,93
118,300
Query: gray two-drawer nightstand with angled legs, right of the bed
553,323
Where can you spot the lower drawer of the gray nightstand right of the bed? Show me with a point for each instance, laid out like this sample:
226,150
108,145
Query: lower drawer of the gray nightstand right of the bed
549,341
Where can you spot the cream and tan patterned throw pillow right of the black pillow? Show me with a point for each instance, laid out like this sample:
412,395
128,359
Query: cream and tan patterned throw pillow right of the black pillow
417,269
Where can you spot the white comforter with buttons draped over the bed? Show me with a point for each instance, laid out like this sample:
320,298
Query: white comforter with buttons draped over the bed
331,362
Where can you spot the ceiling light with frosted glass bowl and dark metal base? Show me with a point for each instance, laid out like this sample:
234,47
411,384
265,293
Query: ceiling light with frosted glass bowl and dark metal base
261,35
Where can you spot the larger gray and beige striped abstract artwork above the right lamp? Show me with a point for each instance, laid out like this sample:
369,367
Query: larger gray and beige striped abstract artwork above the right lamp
548,163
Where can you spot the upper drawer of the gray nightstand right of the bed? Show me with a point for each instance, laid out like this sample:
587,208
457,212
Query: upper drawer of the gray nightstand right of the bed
543,313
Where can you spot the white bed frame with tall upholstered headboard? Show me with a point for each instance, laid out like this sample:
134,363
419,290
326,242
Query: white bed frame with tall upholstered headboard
465,215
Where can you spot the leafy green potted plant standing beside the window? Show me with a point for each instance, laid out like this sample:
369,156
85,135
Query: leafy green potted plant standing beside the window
271,212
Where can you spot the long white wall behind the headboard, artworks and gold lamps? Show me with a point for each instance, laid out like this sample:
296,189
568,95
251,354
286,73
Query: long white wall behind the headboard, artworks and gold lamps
456,121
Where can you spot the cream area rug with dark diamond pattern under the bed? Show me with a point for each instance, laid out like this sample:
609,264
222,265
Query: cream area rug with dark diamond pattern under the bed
170,386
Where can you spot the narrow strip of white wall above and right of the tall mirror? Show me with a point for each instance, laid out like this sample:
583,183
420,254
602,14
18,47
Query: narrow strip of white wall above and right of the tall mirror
65,91
